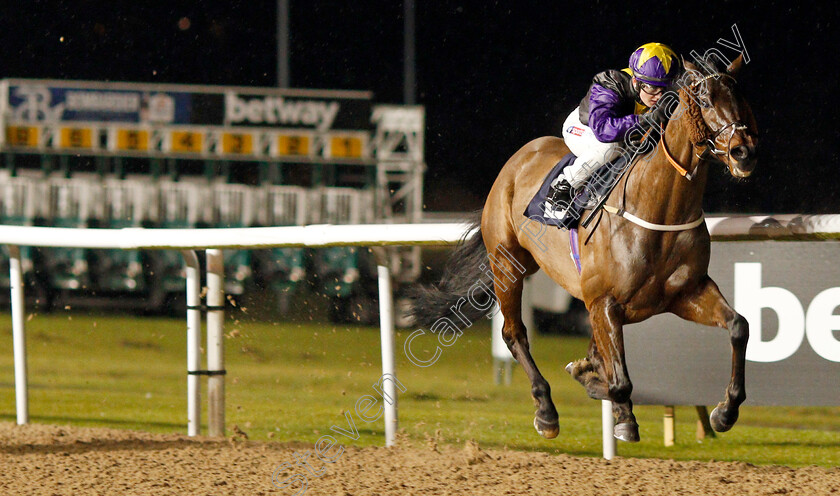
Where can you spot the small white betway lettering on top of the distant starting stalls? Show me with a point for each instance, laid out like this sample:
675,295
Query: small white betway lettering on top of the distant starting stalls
277,110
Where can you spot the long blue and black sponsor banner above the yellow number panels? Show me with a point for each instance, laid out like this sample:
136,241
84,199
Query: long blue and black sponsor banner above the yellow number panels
58,102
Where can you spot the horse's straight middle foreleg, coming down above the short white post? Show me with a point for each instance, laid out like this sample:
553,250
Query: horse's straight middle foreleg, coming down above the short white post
606,355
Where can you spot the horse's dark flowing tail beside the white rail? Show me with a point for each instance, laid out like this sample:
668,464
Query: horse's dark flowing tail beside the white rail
463,270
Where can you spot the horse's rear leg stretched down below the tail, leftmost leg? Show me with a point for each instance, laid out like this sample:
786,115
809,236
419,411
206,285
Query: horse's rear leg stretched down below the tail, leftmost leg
509,295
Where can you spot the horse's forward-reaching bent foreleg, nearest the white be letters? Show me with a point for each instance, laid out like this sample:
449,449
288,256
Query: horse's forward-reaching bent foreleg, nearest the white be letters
707,306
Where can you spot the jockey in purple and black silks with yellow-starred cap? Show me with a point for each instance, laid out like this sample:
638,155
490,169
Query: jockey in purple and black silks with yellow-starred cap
595,130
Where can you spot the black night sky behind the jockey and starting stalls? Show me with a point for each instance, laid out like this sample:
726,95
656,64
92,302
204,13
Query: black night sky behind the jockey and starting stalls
492,75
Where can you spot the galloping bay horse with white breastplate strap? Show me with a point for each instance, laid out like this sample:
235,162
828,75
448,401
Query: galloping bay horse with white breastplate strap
647,255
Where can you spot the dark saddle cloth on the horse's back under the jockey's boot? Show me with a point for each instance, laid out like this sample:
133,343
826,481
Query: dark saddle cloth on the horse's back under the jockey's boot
587,197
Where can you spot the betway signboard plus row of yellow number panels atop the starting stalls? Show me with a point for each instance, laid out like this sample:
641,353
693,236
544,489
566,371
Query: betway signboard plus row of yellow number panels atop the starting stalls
160,120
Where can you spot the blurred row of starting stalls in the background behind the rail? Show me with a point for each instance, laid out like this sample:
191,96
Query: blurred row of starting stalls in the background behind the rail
123,155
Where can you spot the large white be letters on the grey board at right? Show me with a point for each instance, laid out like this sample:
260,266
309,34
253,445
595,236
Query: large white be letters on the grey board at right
818,322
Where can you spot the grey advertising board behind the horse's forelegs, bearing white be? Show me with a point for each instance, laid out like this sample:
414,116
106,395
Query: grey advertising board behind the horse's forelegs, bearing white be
789,292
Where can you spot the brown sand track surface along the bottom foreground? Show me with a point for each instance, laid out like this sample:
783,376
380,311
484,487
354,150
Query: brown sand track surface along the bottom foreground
53,460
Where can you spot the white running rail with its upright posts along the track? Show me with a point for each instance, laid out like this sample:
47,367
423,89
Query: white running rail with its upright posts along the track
816,227
